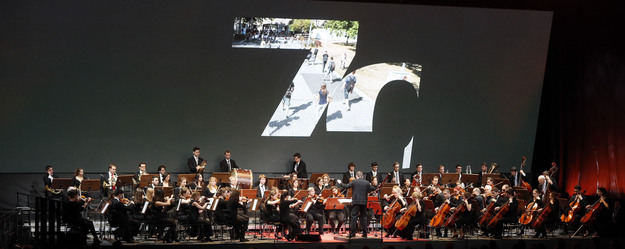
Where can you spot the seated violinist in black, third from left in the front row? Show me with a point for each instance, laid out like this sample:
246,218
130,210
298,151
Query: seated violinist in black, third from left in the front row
160,206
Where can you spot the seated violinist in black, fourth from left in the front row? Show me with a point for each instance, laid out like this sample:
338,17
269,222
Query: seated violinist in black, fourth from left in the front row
197,213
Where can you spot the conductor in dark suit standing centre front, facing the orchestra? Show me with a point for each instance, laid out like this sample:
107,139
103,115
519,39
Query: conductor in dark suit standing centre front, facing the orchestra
360,189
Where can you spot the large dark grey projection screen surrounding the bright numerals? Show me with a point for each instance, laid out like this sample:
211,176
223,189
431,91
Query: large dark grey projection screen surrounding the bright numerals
85,84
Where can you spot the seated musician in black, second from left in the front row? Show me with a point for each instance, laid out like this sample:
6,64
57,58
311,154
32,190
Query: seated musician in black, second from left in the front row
118,211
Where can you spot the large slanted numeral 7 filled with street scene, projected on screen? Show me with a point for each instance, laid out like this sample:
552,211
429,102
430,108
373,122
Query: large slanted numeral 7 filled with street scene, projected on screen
331,46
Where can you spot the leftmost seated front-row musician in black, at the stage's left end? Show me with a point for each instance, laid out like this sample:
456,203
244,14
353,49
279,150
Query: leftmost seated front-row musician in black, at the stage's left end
72,210
